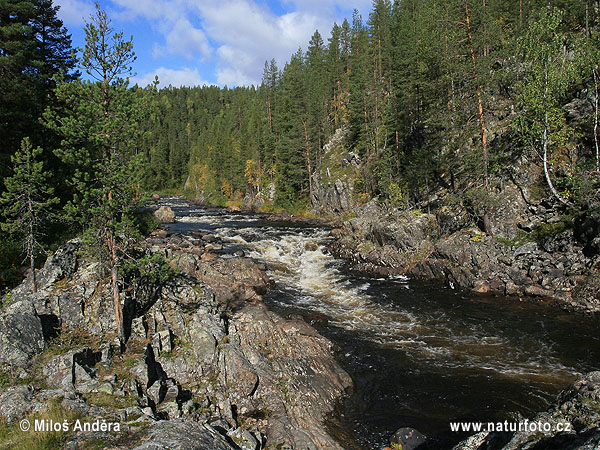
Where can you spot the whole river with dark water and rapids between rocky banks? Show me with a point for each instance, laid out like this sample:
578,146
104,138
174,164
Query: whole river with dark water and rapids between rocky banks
421,355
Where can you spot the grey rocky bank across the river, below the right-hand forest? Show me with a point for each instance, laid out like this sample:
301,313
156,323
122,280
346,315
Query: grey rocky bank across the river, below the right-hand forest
550,263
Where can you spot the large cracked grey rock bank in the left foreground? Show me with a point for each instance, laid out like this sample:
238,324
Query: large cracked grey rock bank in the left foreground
207,365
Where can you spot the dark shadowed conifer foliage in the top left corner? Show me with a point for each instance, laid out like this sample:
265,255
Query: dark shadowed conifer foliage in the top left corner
35,47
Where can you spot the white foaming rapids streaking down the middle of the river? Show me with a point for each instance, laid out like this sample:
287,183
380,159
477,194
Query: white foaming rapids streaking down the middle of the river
299,261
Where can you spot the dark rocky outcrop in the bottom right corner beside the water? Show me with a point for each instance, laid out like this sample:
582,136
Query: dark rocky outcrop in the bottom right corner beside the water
570,424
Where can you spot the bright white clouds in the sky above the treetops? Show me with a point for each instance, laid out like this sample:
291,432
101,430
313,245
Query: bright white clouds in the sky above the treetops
235,37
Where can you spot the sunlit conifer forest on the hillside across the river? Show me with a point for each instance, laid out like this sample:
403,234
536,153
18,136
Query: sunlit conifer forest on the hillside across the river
424,88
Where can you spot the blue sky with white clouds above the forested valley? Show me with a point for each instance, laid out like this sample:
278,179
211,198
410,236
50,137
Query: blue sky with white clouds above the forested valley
221,42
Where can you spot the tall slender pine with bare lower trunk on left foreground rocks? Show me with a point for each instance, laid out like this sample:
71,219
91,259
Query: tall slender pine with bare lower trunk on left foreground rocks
101,132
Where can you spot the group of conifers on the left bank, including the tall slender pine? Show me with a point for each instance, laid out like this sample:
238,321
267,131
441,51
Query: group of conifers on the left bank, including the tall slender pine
71,156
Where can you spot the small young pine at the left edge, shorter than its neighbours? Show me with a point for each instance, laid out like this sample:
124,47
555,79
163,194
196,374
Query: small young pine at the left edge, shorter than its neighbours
27,201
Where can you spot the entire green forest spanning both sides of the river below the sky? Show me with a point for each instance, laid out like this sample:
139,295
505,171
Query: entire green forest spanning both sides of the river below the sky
426,94
